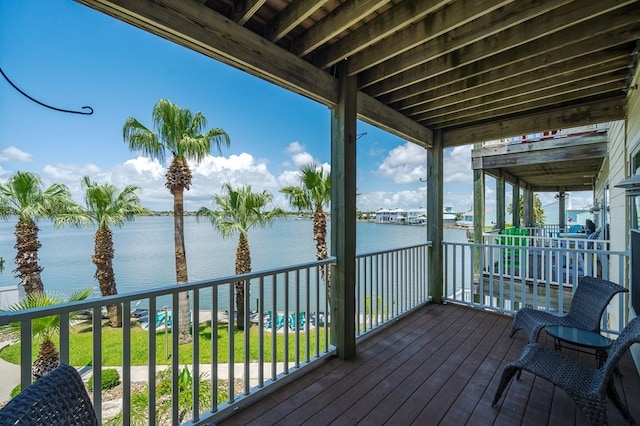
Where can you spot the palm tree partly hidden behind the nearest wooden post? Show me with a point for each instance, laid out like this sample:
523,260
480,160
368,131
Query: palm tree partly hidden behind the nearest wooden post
313,194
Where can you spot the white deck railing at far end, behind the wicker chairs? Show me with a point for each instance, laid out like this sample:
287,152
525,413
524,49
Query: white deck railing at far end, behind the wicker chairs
505,274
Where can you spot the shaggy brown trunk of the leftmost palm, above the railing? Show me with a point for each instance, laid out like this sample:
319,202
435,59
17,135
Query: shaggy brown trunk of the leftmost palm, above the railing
27,246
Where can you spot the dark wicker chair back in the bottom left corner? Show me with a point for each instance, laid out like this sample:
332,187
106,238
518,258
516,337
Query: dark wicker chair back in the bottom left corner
58,398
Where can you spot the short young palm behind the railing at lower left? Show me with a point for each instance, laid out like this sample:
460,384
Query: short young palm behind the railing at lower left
44,328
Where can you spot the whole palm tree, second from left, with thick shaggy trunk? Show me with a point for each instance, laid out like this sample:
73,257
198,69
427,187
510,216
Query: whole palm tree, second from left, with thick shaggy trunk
106,207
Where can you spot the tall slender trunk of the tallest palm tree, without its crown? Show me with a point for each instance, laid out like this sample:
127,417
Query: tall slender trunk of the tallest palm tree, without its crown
184,314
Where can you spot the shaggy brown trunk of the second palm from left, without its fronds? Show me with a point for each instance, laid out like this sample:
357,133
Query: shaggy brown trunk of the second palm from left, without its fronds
103,259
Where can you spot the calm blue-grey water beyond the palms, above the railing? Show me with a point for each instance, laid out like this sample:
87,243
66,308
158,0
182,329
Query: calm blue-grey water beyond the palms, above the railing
144,250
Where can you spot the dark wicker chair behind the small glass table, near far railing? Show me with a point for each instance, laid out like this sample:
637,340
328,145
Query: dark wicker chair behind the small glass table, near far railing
587,306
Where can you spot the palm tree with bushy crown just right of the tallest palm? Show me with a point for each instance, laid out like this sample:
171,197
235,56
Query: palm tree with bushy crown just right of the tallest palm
239,210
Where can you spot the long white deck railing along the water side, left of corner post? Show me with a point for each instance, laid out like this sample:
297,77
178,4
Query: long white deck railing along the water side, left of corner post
287,318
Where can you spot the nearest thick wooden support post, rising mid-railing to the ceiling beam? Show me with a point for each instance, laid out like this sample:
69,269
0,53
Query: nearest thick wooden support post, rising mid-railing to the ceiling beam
343,215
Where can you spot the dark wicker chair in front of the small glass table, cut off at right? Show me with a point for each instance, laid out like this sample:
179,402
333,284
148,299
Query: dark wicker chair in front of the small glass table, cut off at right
588,387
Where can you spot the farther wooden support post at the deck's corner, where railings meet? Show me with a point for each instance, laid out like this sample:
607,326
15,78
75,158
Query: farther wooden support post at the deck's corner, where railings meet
435,207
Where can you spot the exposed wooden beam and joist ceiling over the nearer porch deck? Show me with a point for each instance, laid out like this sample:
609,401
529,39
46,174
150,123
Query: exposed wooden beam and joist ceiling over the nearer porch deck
473,70
